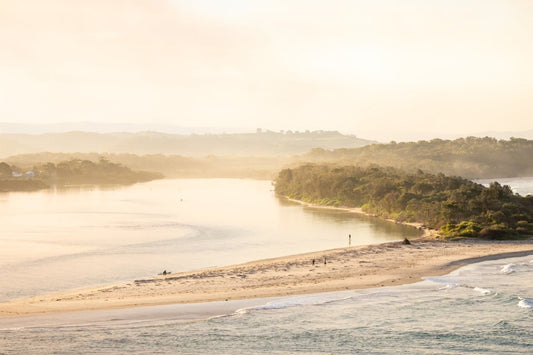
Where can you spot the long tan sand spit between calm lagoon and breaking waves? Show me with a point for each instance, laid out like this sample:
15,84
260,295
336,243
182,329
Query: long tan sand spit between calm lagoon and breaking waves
333,270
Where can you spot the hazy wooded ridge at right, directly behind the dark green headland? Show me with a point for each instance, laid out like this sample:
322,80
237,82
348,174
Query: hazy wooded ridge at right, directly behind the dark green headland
468,157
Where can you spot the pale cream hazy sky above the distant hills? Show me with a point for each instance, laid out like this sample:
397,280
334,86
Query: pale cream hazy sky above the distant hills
362,67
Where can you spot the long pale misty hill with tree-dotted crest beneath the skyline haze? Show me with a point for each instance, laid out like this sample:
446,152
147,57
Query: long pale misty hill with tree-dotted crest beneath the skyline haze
261,143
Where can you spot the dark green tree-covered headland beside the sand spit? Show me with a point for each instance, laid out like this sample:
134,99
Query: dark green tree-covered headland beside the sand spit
459,207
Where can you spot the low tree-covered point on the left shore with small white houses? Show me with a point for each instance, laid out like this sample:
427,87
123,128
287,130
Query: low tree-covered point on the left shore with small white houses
74,171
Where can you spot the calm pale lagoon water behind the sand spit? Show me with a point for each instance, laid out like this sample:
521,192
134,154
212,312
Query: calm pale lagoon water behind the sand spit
56,240
